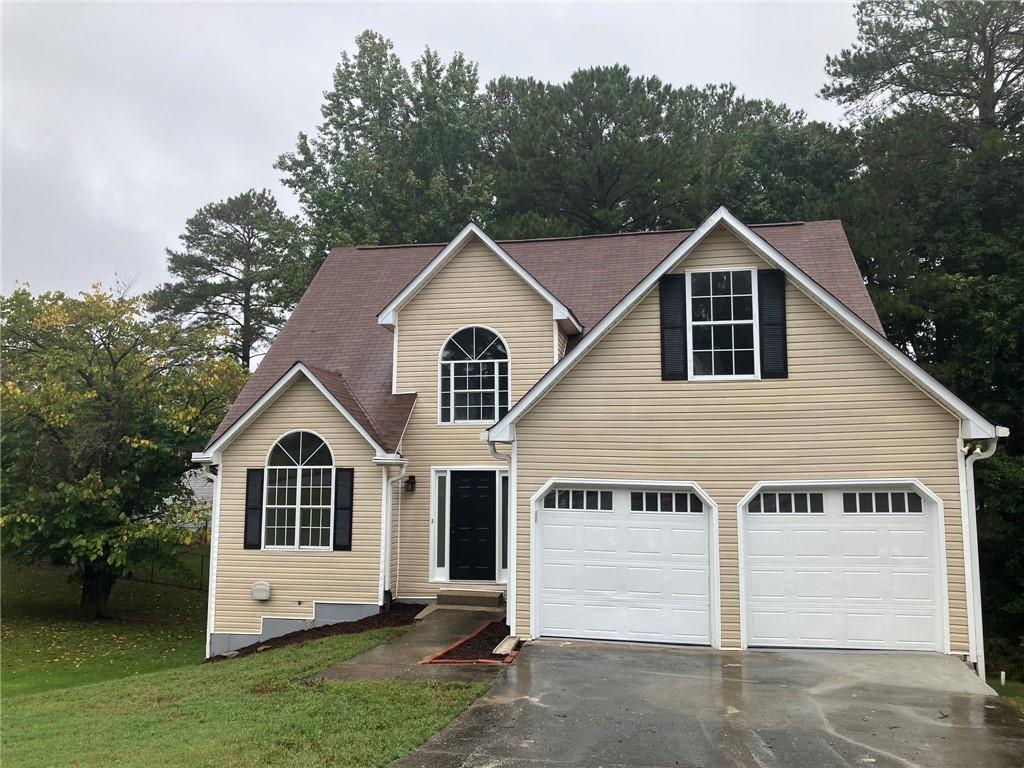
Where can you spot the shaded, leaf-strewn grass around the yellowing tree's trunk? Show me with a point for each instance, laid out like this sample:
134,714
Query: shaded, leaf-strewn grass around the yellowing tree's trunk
47,648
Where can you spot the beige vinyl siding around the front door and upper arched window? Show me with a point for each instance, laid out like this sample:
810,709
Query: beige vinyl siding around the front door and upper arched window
474,288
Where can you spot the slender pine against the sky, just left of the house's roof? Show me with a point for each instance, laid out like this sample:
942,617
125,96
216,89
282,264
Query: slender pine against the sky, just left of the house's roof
243,266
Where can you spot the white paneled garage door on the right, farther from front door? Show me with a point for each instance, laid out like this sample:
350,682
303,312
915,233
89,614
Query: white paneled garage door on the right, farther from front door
843,569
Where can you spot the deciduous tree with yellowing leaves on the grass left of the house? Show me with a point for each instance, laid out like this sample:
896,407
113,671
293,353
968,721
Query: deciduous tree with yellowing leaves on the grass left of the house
102,410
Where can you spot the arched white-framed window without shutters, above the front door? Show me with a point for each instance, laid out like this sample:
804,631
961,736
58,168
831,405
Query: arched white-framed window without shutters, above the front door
475,377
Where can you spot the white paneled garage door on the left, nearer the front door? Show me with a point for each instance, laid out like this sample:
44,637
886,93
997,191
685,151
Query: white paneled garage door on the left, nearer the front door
624,565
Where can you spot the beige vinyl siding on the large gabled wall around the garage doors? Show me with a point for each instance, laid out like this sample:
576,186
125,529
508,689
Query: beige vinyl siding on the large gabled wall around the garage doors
843,414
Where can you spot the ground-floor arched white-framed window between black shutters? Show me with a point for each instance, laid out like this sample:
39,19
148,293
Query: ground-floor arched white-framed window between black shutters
300,493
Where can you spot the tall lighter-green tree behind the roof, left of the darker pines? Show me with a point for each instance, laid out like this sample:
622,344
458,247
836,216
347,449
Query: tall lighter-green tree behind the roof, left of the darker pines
399,155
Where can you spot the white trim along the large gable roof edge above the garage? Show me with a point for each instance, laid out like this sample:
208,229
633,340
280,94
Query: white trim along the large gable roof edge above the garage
974,425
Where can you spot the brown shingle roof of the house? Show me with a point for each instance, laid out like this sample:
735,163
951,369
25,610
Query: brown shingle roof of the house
334,329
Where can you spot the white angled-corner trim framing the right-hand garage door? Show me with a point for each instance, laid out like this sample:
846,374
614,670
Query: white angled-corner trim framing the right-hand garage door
890,483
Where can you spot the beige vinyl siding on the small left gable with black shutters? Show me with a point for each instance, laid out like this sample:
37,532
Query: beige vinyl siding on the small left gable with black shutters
297,578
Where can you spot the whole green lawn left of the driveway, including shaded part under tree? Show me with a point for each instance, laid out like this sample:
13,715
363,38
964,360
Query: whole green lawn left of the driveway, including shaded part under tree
134,692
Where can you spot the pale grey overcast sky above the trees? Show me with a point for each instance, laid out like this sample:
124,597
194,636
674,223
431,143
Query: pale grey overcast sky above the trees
120,120
